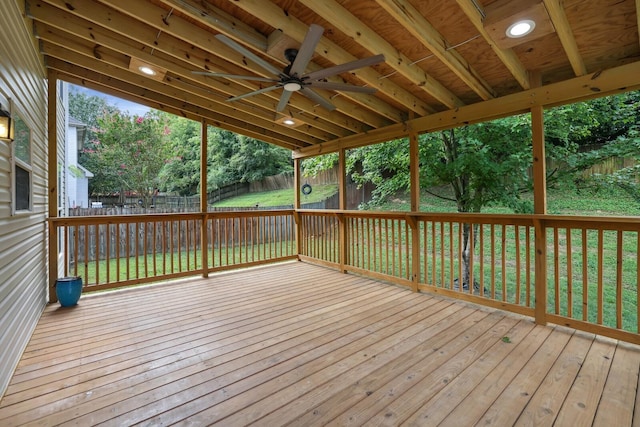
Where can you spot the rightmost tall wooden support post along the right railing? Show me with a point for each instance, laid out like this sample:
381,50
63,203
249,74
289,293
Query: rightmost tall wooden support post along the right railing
540,204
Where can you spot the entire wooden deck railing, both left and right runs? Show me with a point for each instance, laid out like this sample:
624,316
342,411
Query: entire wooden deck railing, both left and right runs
576,271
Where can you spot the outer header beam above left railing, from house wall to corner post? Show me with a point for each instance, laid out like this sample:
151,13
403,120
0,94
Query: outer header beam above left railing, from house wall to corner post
87,78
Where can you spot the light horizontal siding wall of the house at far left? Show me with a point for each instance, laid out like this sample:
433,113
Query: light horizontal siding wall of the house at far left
23,237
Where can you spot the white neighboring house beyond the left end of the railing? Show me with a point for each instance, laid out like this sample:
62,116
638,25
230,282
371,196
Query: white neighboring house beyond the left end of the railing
77,177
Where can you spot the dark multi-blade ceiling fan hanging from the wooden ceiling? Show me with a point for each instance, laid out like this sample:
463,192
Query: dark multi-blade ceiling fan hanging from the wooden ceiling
293,78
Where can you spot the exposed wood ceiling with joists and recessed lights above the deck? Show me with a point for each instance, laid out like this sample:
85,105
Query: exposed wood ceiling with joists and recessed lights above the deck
446,62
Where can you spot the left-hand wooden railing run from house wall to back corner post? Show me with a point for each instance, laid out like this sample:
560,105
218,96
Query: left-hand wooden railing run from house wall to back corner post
114,251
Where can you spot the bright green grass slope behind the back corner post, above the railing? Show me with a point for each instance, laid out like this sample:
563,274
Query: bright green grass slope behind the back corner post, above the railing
278,197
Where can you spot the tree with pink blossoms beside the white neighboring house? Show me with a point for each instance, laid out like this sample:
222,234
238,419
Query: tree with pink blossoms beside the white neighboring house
128,154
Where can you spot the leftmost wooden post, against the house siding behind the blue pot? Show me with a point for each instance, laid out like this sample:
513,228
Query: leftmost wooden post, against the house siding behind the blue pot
52,176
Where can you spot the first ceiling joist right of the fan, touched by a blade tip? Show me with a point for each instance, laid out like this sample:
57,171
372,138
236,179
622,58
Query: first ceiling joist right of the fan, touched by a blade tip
346,22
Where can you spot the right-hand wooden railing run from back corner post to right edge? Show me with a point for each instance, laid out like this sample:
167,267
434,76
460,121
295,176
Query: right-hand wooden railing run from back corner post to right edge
585,274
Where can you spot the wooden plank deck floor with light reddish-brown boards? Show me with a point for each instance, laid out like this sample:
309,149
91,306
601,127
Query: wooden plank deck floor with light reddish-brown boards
297,344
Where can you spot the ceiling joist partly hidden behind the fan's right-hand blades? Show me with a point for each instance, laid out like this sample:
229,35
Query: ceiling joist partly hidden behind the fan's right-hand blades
296,29
